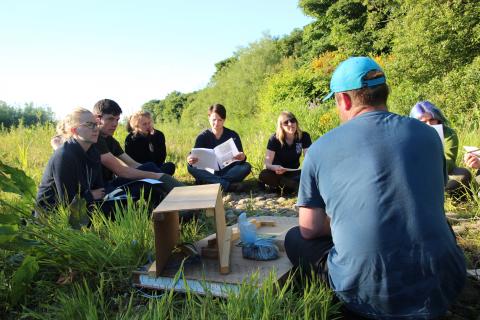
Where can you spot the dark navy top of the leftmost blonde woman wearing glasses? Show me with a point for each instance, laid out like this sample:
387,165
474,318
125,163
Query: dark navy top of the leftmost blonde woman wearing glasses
70,171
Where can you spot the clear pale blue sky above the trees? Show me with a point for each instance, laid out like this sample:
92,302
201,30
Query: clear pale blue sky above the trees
63,54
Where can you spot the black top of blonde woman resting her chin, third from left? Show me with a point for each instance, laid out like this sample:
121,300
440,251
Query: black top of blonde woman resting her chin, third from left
146,148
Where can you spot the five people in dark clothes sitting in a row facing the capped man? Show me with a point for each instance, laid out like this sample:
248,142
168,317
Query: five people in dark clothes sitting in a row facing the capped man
77,169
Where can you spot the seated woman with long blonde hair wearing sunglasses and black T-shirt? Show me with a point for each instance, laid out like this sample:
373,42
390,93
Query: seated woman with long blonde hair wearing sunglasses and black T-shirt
284,148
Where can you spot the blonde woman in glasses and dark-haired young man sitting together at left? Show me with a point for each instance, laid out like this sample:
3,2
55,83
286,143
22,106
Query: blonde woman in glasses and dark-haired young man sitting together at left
88,163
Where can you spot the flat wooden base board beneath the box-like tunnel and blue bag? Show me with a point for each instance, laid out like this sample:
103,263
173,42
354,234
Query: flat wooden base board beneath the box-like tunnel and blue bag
205,276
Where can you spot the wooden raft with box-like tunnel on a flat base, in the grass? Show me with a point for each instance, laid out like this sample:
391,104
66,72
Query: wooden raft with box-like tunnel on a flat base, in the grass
221,265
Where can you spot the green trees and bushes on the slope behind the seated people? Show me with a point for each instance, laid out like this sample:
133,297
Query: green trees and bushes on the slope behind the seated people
429,49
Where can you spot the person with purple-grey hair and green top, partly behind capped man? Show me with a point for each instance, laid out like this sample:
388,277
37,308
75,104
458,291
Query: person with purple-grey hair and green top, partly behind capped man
458,178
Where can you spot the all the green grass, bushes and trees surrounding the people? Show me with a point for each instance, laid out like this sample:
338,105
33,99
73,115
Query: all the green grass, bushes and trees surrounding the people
429,49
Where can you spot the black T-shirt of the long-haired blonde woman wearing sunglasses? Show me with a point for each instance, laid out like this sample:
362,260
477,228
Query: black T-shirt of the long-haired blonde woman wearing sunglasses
288,156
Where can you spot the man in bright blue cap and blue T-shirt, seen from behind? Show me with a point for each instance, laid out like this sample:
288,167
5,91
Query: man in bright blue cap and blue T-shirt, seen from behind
370,224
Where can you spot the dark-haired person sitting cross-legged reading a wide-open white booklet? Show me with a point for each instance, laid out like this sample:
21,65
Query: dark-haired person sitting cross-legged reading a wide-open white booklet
230,166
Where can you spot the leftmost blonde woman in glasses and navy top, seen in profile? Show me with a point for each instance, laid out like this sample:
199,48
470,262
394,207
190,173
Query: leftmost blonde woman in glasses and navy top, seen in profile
74,168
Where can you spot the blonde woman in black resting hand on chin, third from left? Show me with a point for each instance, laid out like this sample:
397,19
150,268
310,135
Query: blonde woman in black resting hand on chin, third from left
145,144
